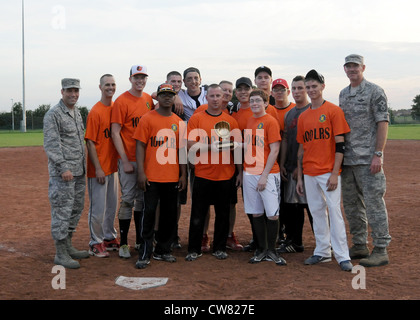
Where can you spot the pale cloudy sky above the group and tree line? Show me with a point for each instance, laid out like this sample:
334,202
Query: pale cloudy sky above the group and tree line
224,39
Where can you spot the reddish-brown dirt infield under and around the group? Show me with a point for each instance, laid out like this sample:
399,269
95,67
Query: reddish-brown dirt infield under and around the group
27,251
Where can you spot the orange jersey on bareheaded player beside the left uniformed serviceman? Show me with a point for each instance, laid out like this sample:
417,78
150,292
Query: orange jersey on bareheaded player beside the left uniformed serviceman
98,130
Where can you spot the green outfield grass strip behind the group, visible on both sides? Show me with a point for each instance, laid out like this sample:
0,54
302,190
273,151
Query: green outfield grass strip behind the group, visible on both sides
35,137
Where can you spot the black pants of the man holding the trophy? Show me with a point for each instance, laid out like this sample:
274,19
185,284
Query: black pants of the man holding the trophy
206,193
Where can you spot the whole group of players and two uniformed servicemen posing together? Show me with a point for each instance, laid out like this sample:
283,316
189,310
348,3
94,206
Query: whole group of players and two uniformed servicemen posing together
285,157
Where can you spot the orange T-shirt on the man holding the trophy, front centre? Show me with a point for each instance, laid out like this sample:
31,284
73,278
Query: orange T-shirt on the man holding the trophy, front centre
212,166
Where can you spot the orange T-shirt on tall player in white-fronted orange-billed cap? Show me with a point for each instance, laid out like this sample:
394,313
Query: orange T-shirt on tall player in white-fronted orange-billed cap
127,112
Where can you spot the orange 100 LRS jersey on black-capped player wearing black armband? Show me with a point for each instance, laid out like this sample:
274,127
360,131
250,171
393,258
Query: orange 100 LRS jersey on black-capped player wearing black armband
316,131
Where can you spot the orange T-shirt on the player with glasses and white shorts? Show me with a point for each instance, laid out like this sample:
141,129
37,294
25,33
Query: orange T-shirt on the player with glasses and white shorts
259,134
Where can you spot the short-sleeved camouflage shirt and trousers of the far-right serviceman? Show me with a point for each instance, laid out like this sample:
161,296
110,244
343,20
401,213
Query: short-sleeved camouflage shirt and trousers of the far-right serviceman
363,193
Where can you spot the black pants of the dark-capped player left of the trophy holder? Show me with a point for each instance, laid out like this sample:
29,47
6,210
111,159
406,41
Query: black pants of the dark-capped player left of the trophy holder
167,194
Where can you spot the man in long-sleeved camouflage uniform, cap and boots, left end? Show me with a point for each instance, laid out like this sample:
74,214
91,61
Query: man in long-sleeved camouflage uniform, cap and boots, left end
65,149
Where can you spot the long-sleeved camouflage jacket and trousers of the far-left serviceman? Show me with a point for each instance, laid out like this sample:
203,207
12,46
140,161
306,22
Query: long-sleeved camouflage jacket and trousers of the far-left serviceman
65,149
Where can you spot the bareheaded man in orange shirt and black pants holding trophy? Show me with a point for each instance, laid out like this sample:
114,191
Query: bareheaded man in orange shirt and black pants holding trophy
214,143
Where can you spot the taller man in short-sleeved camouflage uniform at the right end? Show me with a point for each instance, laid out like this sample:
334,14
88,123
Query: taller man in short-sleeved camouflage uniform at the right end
365,107
